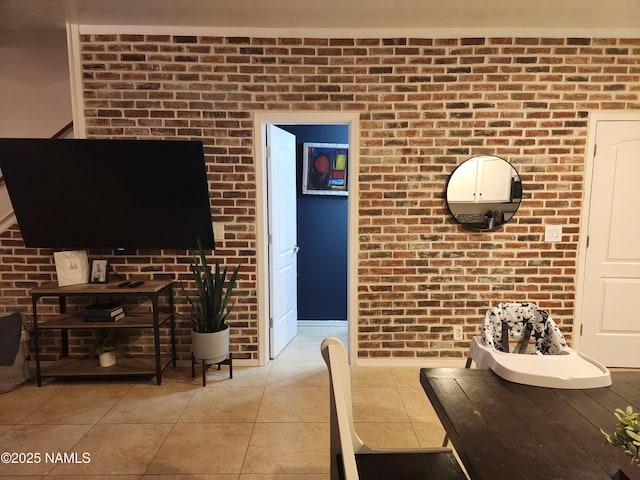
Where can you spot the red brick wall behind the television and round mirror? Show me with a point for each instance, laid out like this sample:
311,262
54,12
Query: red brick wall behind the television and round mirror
425,105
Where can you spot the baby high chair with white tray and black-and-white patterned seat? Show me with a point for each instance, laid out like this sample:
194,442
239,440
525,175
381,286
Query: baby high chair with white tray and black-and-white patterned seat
521,343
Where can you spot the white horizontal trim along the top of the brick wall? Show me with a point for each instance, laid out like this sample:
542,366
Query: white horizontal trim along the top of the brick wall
362,32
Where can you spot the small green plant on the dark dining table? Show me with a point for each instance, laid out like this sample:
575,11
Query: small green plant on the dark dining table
627,437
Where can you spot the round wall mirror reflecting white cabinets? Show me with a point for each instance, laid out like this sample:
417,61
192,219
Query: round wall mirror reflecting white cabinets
484,192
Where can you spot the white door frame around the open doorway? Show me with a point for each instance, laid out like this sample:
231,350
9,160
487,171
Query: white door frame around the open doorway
260,122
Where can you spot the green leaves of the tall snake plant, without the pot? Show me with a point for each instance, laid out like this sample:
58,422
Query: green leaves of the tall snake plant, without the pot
209,305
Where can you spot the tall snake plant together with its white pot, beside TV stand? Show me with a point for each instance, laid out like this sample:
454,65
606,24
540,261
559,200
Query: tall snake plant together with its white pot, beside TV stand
209,307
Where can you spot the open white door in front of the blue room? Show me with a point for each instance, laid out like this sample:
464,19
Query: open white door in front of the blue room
283,249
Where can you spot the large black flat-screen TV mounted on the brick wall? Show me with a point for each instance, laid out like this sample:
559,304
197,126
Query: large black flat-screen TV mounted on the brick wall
120,194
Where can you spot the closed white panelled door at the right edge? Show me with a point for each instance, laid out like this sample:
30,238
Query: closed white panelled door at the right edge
611,278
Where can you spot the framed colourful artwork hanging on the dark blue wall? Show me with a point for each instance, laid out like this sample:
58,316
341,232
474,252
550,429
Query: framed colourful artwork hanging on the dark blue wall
324,169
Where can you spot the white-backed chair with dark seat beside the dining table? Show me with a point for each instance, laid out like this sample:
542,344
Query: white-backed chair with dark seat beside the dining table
352,459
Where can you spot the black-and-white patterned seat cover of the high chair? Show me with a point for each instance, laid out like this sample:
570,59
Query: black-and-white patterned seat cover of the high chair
545,336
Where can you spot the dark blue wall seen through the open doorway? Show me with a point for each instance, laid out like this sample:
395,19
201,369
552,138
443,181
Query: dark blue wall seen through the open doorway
322,236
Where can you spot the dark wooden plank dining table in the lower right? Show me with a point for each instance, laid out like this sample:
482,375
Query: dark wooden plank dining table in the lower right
504,430
